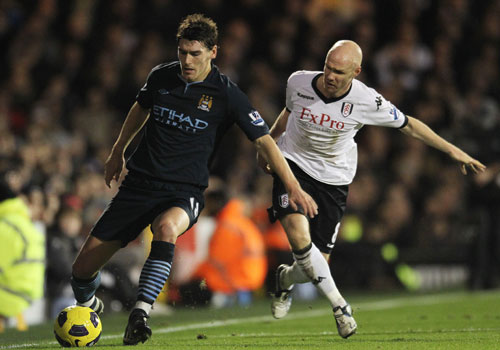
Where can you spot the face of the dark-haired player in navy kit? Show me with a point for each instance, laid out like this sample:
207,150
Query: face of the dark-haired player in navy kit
195,59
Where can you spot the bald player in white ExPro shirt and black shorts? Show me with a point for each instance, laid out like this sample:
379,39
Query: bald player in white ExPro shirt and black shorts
315,133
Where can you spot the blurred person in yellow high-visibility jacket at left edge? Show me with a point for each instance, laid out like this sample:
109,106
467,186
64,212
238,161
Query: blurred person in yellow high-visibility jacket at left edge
22,257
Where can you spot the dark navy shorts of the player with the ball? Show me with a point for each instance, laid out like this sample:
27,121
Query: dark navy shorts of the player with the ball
139,201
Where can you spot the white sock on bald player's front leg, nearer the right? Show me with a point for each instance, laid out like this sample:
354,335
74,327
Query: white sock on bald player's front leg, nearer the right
315,266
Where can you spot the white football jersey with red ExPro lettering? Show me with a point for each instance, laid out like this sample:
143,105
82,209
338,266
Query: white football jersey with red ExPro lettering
320,132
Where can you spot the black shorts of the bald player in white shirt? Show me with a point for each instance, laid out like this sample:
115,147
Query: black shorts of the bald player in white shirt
331,202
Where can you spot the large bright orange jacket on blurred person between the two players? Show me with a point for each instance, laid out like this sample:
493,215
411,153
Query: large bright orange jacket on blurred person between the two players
237,257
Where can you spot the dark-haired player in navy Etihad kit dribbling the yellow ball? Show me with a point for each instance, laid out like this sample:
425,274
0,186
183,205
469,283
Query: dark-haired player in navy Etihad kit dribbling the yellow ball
185,107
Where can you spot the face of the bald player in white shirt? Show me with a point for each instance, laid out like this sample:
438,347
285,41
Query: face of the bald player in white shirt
338,76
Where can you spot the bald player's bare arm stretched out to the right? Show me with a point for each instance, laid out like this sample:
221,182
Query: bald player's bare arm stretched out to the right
421,131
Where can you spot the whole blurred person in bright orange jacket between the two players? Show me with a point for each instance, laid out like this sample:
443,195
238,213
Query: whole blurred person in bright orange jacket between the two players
236,264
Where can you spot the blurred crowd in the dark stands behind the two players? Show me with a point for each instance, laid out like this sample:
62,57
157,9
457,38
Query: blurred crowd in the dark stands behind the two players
71,70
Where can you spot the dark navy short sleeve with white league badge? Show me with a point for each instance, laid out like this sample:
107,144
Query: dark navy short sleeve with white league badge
247,117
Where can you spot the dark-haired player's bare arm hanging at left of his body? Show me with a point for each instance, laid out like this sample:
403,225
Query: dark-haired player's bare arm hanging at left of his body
136,118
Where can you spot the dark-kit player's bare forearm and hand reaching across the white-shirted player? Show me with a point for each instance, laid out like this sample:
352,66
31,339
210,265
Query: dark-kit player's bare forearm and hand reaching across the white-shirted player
269,151
